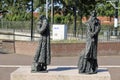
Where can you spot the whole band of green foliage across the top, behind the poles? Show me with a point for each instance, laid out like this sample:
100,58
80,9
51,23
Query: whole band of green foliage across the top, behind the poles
17,10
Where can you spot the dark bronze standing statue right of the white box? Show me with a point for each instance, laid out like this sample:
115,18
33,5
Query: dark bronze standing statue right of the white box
88,60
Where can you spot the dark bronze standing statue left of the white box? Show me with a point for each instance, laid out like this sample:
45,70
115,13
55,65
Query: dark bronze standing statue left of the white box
42,57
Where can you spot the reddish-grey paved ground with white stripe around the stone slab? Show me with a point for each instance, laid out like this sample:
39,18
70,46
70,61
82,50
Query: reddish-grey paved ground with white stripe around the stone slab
10,62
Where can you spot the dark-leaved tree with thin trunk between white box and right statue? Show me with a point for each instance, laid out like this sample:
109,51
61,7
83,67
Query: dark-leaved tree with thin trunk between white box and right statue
83,7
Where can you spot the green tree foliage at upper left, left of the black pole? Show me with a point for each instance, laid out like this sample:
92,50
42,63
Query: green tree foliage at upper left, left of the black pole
16,9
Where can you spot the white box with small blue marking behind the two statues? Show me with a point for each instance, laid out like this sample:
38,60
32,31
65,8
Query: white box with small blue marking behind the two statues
59,32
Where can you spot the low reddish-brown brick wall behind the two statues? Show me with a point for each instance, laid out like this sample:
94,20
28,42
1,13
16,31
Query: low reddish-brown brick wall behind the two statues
63,49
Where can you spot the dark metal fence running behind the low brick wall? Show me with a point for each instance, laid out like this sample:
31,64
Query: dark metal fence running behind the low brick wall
23,29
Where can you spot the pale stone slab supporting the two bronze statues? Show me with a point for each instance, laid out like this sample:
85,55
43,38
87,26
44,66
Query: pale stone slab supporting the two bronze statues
59,73
